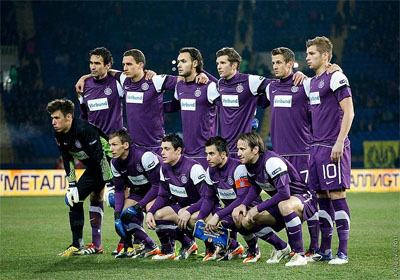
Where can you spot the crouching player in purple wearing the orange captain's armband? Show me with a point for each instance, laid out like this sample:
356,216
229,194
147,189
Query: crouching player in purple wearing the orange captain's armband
228,182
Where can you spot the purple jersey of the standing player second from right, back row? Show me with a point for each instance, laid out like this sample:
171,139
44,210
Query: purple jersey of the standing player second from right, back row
290,116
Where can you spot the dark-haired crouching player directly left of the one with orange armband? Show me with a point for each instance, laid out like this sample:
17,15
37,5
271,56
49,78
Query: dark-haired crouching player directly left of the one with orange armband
182,181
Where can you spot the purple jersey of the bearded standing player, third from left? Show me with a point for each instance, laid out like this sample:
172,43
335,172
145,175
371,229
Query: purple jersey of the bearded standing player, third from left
198,113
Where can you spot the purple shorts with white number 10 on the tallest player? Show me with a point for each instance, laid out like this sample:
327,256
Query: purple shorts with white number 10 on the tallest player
328,175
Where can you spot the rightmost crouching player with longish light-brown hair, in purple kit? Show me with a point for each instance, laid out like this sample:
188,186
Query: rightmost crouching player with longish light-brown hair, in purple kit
290,201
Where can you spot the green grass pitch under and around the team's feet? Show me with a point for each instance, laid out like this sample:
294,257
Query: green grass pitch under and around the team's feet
34,230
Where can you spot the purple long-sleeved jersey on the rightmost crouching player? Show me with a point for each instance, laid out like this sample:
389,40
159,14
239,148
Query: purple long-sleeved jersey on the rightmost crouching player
276,176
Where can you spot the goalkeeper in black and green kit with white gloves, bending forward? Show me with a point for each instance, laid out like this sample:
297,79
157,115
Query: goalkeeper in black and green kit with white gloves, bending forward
77,139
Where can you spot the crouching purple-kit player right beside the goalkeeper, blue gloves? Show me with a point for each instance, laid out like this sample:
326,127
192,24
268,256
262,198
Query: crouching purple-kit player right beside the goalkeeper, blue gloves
140,170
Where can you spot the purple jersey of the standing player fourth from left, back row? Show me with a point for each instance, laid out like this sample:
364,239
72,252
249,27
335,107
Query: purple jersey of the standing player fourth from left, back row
238,105
